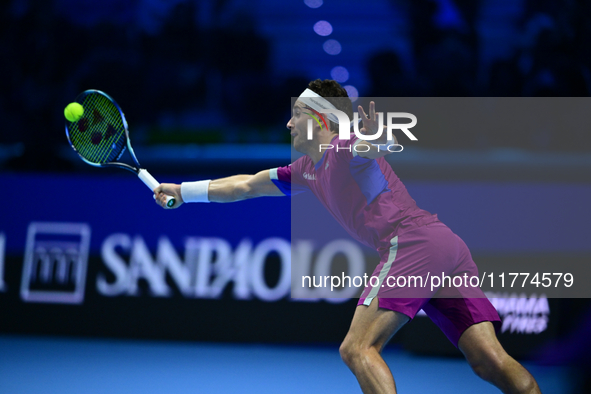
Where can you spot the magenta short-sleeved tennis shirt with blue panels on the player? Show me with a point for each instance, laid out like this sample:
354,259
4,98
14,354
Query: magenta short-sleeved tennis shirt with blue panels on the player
364,195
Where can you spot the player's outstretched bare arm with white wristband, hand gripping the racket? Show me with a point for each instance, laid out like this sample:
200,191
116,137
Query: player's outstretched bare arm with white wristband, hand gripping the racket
230,189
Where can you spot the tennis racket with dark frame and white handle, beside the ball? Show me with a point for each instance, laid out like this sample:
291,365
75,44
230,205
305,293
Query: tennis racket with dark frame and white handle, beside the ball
100,136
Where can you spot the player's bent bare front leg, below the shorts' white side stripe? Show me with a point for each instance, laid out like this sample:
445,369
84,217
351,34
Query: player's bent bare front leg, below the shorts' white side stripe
370,330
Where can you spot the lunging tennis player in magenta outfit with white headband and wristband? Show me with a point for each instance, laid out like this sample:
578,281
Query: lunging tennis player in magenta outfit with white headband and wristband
362,192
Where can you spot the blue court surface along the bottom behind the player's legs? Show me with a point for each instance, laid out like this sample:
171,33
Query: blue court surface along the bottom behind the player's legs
66,366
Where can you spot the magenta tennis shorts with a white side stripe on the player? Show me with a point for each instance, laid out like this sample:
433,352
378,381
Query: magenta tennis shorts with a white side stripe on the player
408,274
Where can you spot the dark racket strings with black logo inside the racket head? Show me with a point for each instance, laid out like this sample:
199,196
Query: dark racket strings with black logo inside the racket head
99,136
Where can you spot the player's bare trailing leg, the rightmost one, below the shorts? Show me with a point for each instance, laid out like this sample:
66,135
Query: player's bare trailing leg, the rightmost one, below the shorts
489,360
